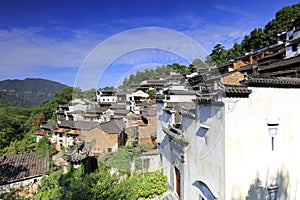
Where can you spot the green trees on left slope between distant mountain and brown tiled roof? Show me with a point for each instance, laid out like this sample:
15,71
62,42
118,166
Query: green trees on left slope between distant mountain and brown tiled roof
18,126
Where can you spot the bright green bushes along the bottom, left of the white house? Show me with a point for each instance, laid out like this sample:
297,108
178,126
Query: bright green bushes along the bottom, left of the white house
100,184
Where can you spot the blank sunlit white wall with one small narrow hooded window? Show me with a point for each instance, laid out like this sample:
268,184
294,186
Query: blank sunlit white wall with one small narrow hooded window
248,144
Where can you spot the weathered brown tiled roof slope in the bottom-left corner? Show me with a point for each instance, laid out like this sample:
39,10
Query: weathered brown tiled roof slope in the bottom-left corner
18,167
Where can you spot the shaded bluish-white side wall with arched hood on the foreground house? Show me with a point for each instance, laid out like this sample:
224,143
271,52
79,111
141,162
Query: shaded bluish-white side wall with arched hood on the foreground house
205,153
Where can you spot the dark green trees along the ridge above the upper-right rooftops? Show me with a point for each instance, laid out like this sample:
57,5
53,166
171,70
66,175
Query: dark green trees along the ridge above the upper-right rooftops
258,37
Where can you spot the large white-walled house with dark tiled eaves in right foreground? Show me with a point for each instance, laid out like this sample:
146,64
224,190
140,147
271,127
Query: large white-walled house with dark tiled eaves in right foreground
235,145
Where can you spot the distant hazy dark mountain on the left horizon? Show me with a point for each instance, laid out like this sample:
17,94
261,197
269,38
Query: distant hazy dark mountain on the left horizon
35,90
